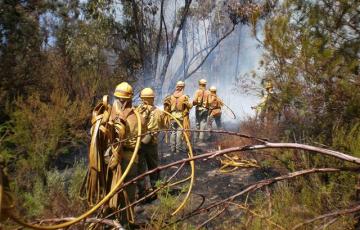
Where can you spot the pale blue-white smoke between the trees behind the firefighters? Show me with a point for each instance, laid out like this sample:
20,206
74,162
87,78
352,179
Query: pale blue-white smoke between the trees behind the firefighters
213,47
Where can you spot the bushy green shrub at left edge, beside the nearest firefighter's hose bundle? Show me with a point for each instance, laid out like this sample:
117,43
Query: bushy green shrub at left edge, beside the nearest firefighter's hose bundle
38,133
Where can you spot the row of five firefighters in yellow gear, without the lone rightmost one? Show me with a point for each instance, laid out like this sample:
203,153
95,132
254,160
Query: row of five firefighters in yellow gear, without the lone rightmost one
116,125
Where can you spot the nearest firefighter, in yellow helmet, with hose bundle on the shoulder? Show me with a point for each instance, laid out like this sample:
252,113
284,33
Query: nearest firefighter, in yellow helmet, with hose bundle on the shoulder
124,122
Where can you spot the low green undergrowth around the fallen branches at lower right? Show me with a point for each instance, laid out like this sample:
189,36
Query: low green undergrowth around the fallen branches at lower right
295,201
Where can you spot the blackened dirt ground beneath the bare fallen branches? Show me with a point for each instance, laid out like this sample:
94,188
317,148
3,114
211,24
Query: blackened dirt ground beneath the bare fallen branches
211,185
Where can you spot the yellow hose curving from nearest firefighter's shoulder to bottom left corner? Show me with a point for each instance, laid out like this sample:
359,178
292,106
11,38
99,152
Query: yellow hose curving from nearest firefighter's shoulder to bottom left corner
103,201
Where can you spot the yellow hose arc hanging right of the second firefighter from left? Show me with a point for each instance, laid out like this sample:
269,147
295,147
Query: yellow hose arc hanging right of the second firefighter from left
192,165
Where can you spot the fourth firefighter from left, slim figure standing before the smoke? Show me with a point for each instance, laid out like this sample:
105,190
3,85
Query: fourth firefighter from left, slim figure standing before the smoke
201,110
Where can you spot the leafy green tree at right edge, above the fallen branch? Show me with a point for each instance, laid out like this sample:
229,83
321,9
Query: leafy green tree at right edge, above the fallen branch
312,56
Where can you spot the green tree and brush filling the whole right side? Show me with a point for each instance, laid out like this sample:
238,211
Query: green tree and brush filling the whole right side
312,58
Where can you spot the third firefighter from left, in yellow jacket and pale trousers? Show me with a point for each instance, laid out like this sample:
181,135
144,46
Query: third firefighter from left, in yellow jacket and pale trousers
179,105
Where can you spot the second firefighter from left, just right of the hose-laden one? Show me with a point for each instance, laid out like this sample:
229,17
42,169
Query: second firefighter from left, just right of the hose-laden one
154,120
